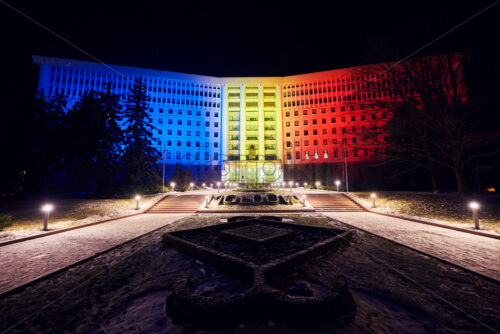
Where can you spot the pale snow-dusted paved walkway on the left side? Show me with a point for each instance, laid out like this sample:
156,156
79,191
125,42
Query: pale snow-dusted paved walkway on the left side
26,261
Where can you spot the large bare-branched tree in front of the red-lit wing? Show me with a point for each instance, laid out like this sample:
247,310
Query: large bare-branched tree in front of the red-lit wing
426,117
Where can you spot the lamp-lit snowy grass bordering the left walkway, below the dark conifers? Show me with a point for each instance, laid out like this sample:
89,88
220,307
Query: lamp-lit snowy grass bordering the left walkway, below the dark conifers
26,214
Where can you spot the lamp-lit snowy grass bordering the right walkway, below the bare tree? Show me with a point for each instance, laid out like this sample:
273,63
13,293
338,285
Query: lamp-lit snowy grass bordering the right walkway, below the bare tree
446,207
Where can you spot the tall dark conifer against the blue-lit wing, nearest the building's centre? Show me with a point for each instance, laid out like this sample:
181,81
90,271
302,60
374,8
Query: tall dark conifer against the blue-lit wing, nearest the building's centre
139,161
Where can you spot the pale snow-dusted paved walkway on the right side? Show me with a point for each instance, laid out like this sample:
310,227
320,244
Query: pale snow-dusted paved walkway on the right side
474,252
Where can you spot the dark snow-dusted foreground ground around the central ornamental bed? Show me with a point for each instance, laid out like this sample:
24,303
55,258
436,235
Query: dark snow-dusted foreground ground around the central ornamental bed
123,291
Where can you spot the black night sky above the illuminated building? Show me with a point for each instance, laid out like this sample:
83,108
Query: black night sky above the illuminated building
240,39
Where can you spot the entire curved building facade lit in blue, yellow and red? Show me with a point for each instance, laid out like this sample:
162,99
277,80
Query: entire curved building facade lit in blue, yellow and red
245,130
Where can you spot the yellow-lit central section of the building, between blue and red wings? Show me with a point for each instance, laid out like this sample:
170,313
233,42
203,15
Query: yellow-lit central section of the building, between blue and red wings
253,151
